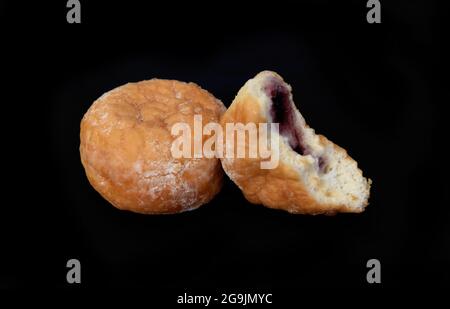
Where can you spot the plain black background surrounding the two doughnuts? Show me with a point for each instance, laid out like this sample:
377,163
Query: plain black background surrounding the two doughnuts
371,88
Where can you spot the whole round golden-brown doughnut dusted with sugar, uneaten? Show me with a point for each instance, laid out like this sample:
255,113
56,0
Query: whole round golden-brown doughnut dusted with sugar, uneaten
125,147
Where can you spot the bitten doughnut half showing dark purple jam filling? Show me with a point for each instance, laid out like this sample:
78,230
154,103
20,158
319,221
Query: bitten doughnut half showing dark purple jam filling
313,176
